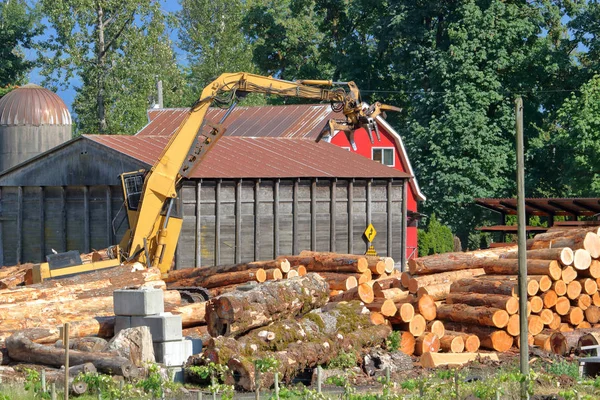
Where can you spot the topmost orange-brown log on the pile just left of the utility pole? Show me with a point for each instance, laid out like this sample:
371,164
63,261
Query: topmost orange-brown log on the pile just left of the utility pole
450,261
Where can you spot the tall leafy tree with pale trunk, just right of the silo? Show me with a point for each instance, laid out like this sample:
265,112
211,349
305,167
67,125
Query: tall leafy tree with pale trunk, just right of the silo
118,49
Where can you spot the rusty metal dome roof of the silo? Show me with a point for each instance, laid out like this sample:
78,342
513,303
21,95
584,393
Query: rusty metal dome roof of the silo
33,105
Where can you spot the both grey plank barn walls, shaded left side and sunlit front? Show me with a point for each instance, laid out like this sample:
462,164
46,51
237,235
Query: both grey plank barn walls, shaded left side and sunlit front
225,221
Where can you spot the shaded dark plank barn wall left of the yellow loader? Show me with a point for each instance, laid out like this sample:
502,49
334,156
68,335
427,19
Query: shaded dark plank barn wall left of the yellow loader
34,220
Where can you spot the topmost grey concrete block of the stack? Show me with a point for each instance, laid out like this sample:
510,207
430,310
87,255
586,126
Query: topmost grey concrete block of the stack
146,301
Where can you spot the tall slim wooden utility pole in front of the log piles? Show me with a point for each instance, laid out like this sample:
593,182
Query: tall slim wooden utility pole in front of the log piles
522,242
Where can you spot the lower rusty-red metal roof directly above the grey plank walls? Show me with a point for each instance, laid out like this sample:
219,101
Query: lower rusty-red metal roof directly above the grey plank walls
265,157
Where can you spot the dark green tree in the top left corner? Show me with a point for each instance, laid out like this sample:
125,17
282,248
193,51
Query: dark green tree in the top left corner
19,24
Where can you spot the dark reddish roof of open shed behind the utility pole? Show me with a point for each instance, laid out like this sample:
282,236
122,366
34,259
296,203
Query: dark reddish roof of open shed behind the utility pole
545,206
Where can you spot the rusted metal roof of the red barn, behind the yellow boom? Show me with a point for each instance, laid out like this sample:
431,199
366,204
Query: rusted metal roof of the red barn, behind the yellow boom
290,121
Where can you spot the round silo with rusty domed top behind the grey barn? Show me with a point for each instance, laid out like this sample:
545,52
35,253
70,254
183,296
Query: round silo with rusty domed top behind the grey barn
32,120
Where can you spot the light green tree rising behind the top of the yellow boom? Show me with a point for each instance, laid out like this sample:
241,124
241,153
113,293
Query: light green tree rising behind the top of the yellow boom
211,34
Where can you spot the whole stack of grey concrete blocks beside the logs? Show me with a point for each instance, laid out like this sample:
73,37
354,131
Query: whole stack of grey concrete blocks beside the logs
145,307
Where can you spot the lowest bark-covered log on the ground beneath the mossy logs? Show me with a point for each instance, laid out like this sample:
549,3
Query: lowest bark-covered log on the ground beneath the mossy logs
299,356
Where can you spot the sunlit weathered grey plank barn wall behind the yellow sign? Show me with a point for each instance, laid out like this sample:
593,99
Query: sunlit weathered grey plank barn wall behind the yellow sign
232,221
